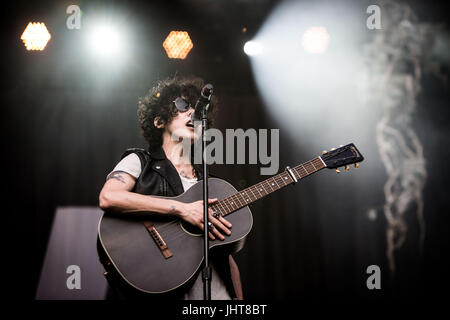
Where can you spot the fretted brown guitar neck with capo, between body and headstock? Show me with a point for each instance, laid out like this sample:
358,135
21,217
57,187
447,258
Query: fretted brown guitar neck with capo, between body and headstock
263,188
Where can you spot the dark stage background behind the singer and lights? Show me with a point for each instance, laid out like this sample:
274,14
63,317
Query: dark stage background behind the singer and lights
66,121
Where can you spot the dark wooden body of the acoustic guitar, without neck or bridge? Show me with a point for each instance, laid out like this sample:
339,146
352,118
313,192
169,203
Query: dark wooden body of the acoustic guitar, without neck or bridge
137,258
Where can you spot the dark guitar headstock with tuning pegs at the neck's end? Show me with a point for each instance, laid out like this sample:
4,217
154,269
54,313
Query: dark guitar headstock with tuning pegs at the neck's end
342,156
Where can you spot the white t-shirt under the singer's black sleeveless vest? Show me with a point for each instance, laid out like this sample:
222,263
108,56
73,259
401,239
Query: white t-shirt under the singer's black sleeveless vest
131,164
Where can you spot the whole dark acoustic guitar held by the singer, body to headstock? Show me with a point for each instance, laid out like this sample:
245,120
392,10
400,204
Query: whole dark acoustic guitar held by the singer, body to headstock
158,253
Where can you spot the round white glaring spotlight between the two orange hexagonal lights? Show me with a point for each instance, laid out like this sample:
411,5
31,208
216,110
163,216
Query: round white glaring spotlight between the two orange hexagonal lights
105,40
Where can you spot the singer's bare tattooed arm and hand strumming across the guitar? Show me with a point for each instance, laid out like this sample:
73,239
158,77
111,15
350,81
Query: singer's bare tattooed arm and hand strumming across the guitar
116,196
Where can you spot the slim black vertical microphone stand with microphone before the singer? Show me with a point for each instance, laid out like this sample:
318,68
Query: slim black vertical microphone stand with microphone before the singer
206,272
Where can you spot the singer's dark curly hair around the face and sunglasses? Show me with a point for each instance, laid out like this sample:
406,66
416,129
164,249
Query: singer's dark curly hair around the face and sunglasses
159,103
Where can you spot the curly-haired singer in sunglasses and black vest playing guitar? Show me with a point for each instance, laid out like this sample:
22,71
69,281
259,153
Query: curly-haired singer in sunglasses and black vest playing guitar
165,119
